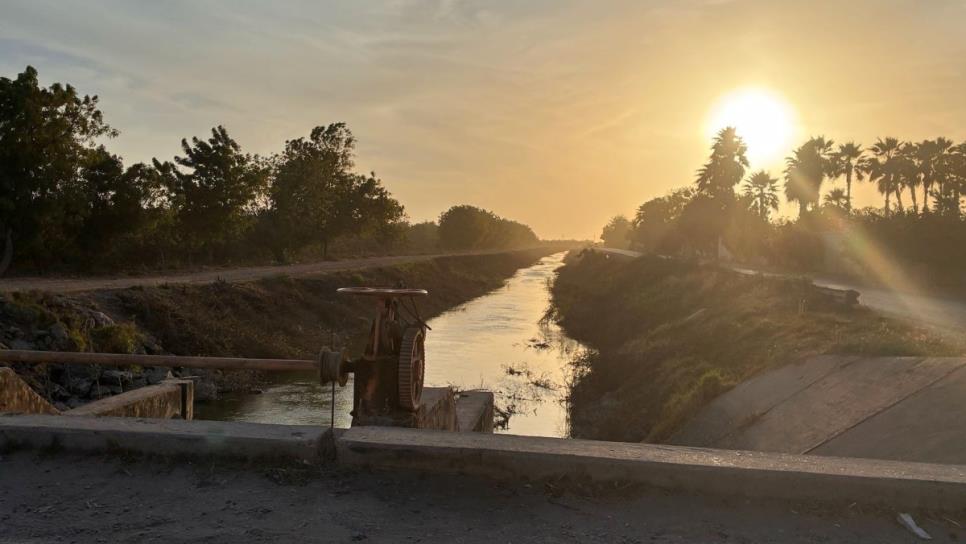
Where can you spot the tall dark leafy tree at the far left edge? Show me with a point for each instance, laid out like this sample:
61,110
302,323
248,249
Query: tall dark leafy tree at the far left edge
46,134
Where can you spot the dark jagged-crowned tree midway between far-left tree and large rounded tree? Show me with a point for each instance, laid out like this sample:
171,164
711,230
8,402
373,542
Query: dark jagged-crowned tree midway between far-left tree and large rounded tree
214,189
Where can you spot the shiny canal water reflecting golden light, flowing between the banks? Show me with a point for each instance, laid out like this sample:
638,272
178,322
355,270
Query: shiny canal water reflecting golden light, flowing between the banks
499,342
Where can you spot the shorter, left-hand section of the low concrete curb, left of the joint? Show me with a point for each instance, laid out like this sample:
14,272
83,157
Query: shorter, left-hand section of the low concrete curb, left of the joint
227,439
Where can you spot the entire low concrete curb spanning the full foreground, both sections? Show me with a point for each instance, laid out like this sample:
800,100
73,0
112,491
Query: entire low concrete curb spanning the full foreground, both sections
674,468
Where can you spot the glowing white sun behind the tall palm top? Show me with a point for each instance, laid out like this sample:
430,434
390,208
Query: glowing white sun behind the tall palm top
762,118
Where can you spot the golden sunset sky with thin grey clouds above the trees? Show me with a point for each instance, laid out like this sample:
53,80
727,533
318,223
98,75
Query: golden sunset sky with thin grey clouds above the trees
556,113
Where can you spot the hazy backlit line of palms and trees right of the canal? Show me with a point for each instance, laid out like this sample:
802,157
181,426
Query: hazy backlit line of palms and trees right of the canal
920,223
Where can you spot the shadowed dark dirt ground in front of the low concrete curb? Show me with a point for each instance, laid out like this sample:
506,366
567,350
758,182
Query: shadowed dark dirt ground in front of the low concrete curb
71,498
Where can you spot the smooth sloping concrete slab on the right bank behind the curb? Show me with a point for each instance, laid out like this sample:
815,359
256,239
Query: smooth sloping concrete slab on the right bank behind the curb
841,406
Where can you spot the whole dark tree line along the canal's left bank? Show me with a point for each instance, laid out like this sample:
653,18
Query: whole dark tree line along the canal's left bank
67,202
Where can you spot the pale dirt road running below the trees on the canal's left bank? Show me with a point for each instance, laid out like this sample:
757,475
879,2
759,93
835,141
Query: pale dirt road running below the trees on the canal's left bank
243,274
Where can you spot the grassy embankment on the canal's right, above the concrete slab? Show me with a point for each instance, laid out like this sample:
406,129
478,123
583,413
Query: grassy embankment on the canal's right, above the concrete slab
669,336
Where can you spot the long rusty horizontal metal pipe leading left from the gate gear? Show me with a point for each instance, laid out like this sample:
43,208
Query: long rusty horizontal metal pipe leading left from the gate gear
112,359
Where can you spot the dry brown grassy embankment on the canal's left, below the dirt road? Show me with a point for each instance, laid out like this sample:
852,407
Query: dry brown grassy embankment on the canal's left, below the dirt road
275,317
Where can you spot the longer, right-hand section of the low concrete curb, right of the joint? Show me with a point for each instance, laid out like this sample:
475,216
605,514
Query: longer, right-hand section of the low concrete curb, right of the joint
675,468
